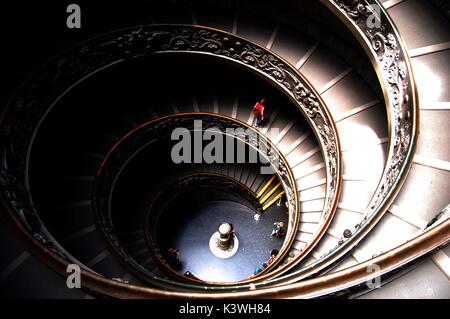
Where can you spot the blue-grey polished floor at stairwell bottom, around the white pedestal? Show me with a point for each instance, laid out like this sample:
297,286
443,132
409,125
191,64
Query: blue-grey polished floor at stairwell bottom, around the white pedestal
192,234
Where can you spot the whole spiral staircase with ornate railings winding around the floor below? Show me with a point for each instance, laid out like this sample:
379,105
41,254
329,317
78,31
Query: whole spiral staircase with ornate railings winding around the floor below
356,115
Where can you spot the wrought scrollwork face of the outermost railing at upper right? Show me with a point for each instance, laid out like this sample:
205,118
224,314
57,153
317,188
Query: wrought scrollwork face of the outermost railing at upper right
397,79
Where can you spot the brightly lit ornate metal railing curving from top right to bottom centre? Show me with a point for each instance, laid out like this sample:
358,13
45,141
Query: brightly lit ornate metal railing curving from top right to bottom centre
378,36
